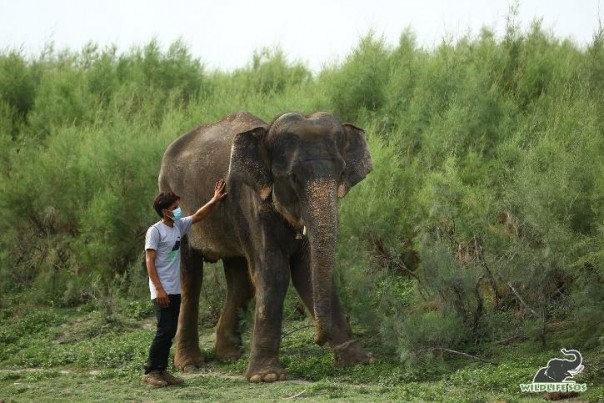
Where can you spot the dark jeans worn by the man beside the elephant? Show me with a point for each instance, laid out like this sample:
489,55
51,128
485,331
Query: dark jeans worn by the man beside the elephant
167,322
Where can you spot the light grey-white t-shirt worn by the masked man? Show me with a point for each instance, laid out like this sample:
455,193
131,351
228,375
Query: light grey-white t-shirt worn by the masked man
165,241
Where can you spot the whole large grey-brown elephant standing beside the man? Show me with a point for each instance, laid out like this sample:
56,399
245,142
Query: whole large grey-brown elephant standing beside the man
281,178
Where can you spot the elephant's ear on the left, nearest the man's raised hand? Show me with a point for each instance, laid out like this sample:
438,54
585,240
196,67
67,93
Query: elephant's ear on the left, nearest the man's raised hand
249,161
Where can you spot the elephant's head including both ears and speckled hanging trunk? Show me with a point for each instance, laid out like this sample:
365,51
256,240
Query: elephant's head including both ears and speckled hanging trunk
302,165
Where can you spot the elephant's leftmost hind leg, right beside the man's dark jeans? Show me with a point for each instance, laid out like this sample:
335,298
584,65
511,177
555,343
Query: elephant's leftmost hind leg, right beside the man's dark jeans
188,355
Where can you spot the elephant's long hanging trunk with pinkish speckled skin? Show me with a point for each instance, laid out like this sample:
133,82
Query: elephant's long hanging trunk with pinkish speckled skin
321,221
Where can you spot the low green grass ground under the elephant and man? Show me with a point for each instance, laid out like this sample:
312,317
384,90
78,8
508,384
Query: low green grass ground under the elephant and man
74,355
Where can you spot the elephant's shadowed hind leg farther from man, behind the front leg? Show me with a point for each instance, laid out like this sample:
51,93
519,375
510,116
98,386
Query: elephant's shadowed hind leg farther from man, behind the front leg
239,294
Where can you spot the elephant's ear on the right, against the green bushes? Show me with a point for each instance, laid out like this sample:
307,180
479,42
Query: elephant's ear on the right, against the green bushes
357,157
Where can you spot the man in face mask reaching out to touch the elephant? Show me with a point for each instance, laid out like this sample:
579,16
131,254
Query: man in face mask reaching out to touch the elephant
162,257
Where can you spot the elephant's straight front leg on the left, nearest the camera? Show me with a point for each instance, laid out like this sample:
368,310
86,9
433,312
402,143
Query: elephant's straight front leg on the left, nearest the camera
271,279
